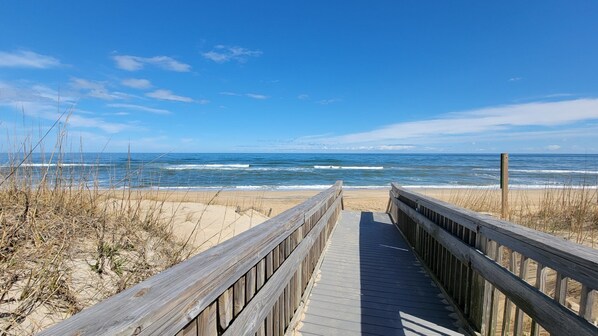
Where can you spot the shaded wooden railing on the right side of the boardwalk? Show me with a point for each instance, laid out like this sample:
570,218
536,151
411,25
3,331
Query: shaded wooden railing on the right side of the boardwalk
504,279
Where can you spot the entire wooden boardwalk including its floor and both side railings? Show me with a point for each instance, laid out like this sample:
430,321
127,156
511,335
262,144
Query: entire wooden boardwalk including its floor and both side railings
318,270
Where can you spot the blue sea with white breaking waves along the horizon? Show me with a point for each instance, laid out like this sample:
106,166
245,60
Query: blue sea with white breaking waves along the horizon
243,171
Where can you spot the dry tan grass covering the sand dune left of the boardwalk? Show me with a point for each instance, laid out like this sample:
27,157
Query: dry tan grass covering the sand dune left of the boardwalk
65,245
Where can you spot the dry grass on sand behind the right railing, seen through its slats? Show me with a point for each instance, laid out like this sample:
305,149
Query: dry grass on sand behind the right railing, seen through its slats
568,212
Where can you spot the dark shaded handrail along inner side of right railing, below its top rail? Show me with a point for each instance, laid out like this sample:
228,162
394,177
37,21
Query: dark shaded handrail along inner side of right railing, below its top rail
554,318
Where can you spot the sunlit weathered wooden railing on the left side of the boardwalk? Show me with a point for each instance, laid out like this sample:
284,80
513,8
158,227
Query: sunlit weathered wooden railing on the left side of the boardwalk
251,284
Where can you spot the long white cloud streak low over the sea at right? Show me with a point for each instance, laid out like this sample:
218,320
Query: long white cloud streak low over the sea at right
480,122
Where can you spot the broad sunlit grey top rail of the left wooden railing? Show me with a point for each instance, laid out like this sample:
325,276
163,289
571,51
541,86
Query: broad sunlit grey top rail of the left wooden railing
167,302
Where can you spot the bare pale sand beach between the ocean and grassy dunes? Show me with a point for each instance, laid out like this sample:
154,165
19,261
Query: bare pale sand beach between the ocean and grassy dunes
207,218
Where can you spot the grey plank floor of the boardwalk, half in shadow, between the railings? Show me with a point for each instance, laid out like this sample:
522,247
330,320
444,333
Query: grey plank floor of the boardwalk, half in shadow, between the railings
372,284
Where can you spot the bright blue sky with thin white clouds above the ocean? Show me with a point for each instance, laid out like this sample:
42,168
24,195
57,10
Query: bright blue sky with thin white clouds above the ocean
308,76
